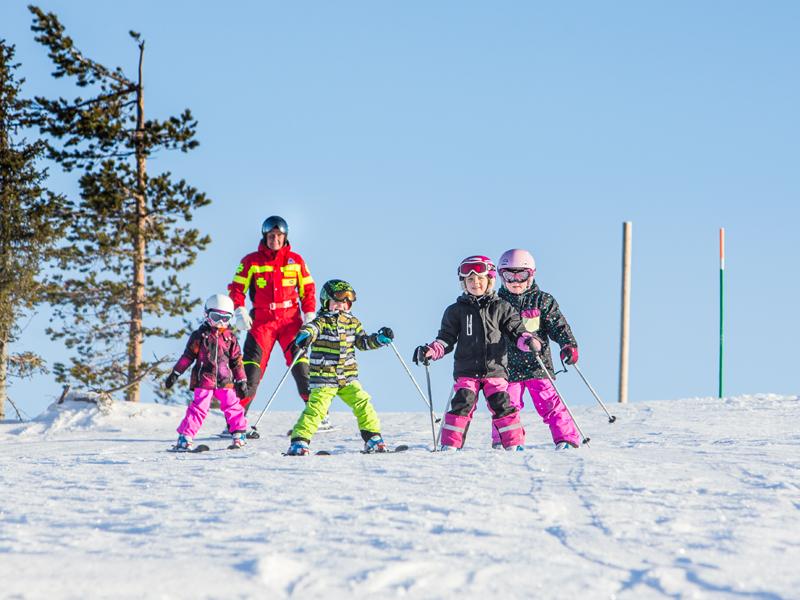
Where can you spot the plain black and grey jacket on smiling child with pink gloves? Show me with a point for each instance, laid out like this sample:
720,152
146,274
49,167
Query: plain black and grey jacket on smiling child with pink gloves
476,327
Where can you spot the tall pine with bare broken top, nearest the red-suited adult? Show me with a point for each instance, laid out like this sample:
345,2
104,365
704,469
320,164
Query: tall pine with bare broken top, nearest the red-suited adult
128,236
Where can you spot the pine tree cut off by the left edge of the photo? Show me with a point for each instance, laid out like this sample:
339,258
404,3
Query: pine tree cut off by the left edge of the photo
31,224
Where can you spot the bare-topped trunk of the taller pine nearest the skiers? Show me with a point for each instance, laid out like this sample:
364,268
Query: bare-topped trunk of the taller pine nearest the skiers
139,245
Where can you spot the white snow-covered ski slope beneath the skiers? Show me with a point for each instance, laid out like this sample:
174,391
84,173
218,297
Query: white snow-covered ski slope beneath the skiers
695,498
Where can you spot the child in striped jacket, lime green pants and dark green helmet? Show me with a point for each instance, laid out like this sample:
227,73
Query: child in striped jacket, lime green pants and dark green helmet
333,337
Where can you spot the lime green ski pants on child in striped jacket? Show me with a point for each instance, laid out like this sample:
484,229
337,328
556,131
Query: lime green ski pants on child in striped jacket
320,400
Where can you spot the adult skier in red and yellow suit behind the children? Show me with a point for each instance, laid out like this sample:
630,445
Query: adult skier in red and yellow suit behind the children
283,297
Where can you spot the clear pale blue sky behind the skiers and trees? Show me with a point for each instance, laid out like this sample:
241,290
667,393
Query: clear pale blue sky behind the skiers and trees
396,138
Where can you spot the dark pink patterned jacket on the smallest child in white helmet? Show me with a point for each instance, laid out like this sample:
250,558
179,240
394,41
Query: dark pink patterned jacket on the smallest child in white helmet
217,357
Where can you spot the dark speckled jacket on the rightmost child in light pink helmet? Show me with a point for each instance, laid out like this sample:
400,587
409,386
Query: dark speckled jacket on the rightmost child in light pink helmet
542,317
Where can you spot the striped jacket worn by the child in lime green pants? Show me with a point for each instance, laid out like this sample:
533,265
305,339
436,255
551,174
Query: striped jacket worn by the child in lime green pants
334,339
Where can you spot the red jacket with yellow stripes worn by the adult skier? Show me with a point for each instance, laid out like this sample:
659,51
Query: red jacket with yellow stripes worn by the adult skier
276,281
